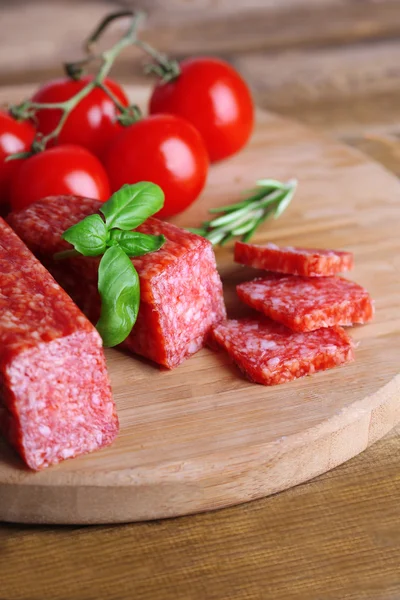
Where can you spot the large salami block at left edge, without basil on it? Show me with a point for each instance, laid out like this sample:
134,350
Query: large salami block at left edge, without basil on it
55,395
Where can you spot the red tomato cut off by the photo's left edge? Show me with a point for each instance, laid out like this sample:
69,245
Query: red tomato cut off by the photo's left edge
15,136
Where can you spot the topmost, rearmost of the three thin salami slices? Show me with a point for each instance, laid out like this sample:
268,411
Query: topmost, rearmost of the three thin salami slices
308,262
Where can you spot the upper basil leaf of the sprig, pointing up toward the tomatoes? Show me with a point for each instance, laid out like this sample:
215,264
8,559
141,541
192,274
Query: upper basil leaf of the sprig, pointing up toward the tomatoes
132,205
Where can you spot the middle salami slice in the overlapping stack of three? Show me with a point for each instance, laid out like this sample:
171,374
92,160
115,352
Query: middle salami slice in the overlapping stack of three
308,303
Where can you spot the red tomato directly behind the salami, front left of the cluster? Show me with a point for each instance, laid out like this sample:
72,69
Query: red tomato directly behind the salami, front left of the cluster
61,170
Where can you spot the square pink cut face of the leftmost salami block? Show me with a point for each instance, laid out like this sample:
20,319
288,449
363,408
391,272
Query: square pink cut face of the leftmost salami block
59,399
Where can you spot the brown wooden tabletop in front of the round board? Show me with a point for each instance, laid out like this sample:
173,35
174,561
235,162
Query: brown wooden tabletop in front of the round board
332,538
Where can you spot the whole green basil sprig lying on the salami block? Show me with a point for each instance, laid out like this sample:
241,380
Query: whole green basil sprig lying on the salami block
118,281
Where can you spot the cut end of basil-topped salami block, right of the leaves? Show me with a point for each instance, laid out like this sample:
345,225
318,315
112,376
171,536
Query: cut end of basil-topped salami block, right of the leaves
181,296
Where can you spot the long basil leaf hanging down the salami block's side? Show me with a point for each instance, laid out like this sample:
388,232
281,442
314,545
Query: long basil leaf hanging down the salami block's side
120,296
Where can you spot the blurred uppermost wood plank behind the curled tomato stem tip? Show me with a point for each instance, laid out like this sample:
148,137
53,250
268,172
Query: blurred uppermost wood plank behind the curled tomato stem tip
183,27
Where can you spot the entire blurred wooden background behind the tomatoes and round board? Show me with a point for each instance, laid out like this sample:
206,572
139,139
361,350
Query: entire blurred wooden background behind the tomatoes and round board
334,64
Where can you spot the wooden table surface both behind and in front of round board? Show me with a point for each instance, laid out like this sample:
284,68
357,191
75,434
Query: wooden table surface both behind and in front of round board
332,64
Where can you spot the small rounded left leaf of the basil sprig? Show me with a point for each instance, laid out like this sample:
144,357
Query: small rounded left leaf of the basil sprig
89,236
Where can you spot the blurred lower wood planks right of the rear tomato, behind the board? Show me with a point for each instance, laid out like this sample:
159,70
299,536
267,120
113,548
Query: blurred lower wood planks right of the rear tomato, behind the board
350,92
